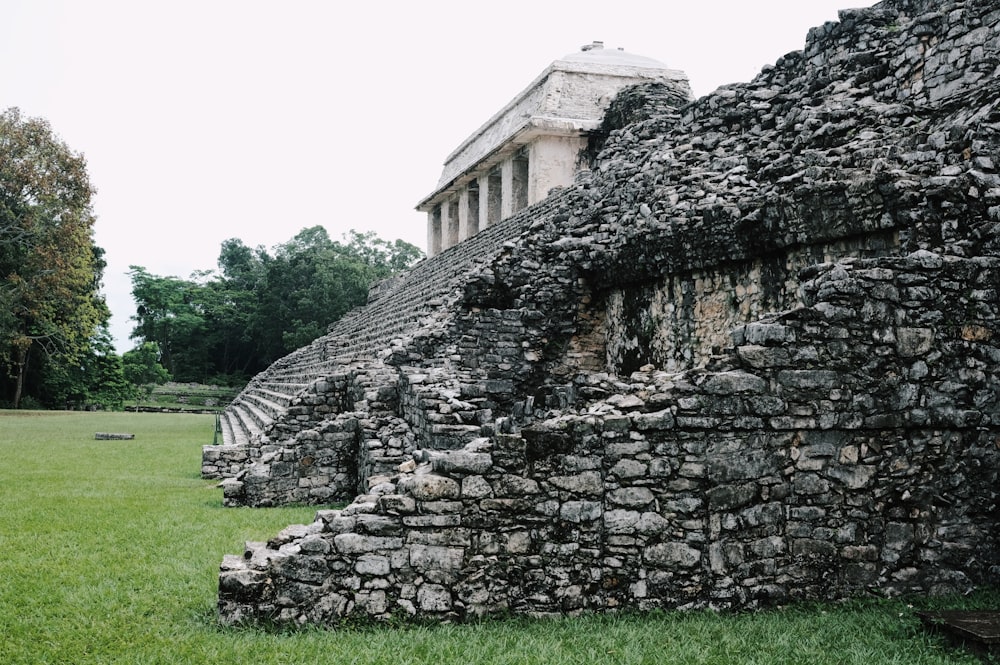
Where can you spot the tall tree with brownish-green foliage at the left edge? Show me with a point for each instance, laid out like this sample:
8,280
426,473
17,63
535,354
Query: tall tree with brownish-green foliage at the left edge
50,269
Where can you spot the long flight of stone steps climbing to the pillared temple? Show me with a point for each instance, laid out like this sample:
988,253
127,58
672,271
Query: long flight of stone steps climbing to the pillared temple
410,307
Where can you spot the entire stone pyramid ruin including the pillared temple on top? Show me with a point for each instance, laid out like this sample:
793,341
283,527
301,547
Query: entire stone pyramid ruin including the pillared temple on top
665,353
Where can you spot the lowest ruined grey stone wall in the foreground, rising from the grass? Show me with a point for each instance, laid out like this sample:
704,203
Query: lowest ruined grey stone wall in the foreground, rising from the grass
839,454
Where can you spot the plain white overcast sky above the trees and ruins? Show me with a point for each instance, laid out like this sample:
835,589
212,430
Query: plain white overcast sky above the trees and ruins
203,120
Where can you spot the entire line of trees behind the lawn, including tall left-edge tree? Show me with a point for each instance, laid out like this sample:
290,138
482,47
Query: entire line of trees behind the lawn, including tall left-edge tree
55,347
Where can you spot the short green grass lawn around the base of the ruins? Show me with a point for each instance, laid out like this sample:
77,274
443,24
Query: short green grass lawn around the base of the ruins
109,552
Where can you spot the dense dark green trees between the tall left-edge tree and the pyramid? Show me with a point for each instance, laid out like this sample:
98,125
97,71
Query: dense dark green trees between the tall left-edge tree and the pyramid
224,327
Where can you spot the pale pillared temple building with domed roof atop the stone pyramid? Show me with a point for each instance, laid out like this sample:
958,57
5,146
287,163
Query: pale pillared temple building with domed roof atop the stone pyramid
537,142
